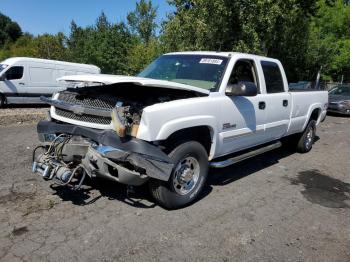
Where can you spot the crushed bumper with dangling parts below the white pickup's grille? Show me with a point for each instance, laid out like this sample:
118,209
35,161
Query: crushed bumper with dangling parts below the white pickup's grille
71,152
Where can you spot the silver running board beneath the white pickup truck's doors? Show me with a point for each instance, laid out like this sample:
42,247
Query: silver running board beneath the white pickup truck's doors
236,159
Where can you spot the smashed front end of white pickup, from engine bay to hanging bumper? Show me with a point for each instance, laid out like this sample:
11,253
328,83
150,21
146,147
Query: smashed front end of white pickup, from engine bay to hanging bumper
93,133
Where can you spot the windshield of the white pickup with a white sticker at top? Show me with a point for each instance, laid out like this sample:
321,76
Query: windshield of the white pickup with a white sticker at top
197,70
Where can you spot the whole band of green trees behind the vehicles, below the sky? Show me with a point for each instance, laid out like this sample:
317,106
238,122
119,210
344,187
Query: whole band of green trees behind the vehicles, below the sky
306,35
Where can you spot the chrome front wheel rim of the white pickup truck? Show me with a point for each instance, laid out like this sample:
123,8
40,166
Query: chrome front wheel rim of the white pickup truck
186,175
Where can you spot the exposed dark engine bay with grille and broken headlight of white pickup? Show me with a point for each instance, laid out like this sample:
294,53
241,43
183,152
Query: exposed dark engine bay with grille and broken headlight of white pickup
123,103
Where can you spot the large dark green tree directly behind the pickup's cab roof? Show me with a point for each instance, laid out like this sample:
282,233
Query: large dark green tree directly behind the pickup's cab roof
274,28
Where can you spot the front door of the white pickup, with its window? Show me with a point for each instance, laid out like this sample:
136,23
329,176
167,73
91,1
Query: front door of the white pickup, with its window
243,122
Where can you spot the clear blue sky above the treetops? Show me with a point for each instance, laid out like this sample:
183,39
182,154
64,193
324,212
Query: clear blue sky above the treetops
53,16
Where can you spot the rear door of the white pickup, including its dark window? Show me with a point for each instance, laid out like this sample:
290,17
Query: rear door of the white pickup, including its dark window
276,101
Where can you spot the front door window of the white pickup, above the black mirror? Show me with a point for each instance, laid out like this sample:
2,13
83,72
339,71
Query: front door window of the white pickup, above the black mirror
243,71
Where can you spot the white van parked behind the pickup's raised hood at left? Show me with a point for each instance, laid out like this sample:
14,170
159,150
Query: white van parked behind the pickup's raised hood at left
23,80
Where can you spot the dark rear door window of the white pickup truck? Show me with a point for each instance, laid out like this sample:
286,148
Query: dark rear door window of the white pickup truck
273,77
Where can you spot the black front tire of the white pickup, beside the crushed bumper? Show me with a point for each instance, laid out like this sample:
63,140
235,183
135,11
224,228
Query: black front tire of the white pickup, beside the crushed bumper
169,194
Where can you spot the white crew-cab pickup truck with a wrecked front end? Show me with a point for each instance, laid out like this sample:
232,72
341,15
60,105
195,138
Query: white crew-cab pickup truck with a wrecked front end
184,113
